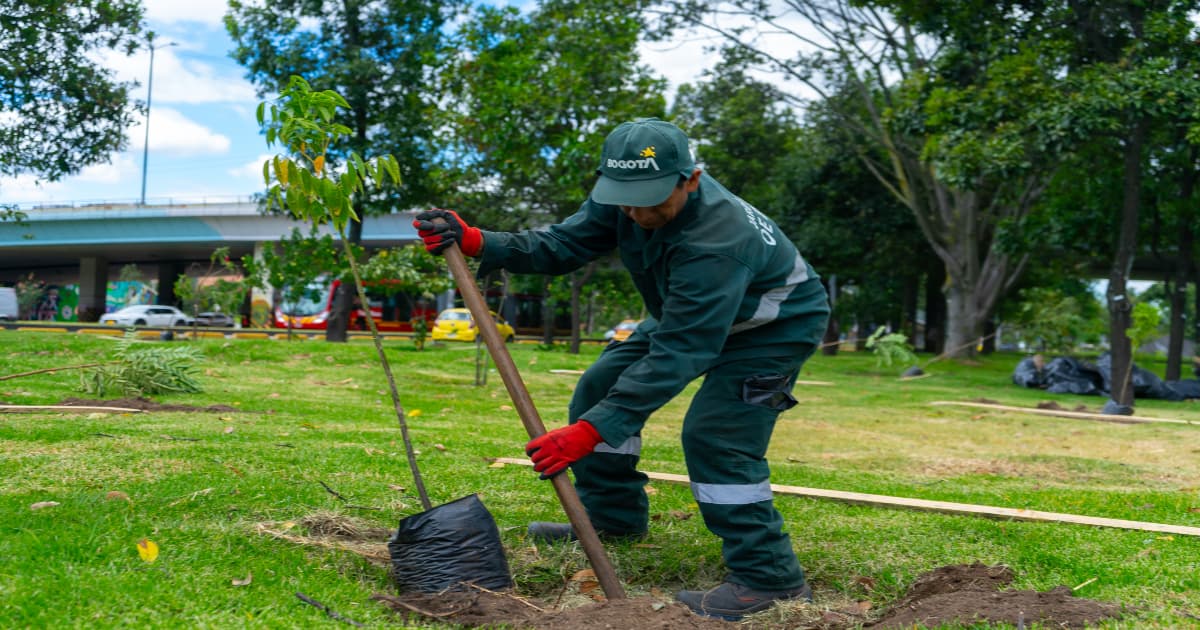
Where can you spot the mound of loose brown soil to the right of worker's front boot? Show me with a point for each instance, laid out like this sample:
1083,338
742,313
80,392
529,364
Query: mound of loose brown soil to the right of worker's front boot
970,595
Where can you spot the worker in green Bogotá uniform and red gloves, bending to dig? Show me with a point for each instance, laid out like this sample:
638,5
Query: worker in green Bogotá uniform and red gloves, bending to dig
730,299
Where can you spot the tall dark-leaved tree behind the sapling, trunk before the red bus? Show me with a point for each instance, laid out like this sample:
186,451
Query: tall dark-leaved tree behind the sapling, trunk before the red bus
382,57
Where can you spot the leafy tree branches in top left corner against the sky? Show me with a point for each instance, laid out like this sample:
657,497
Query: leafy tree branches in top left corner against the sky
61,110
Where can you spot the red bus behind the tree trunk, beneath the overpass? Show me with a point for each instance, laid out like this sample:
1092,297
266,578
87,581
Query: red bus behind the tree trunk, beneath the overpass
392,314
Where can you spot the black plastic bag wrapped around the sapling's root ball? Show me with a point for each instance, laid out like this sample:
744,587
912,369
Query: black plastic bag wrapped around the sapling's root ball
447,547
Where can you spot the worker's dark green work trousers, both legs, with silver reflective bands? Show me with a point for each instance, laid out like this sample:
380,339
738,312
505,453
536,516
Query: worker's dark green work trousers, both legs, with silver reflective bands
725,437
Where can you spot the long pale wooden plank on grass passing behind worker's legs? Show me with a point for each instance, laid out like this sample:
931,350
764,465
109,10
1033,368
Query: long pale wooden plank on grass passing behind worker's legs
883,501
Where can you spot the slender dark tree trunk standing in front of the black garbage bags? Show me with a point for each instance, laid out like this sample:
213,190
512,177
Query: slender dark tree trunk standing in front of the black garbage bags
1120,308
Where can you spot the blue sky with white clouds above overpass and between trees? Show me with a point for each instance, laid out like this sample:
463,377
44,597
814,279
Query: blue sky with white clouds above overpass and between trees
205,142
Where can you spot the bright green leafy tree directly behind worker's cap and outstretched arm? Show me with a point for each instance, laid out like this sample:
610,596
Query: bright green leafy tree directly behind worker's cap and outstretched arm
527,152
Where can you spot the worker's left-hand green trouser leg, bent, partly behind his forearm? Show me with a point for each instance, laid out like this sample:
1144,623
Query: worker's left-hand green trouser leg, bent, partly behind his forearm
609,484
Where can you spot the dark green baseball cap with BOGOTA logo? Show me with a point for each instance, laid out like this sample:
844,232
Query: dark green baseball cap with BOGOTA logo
641,164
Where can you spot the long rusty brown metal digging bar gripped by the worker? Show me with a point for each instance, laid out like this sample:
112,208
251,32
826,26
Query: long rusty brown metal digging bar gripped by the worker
532,422
